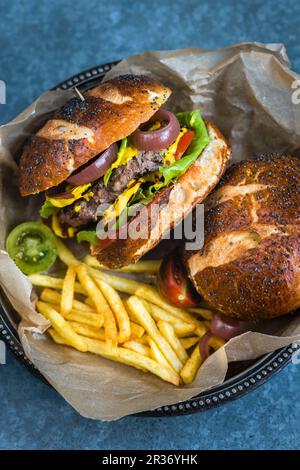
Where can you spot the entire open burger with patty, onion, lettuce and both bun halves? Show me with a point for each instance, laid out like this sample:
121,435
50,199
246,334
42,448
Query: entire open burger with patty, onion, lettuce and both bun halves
106,159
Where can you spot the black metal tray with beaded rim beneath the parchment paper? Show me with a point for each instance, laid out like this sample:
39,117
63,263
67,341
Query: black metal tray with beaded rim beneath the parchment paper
242,377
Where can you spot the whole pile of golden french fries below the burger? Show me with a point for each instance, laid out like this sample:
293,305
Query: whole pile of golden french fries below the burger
122,320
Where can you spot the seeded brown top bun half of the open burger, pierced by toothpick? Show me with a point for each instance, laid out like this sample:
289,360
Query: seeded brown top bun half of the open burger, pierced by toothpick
79,130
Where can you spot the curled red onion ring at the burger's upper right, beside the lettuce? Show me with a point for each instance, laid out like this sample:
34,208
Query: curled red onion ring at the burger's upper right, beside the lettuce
161,138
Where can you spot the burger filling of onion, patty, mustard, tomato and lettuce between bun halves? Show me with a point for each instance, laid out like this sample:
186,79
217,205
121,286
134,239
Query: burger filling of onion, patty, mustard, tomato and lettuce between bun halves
135,169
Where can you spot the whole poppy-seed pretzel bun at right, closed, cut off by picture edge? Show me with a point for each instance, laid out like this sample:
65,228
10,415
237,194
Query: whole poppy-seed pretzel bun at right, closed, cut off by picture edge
249,266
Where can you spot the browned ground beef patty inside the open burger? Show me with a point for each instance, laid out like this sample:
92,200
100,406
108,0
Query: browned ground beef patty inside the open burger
143,163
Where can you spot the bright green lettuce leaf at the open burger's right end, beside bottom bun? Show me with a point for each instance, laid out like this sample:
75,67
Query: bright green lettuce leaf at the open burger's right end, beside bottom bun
191,120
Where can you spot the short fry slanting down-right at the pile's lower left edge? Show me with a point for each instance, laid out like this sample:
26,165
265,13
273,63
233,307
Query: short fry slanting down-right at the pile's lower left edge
61,326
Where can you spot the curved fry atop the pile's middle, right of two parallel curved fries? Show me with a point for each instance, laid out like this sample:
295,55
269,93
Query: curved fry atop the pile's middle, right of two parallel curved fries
116,304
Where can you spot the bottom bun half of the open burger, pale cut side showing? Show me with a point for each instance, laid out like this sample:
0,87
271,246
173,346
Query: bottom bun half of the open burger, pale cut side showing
170,205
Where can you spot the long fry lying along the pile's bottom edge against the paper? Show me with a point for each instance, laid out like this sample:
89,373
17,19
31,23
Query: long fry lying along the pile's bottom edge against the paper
131,358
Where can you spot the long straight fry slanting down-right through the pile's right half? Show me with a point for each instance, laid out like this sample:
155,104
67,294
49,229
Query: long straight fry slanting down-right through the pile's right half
138,309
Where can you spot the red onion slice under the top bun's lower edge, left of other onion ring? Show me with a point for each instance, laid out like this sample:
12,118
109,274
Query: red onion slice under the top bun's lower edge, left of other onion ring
97,168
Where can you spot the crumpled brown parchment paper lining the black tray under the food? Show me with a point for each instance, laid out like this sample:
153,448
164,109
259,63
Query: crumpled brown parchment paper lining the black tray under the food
246,90
